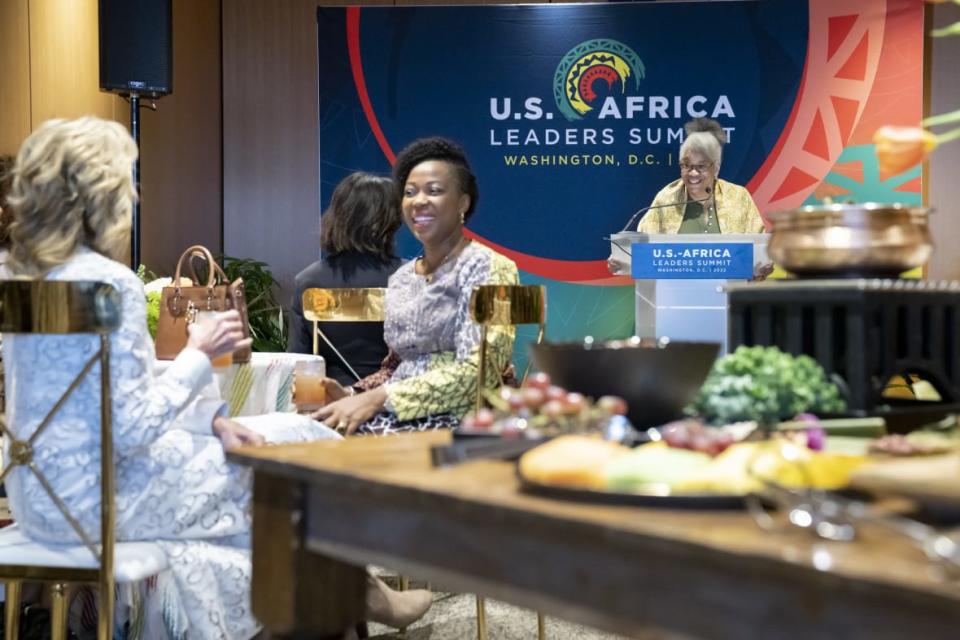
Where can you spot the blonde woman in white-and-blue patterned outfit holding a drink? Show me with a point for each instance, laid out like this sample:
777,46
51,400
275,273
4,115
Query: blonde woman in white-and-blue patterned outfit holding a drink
71,199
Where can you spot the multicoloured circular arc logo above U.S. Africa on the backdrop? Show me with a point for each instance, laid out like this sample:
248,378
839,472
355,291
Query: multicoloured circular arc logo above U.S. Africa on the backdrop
605,60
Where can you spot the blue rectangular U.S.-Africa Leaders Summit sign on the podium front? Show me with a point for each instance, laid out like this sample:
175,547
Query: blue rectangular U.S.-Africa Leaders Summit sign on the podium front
691,260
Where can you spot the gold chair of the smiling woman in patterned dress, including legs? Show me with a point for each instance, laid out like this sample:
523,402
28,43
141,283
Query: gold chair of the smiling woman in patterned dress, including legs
503,305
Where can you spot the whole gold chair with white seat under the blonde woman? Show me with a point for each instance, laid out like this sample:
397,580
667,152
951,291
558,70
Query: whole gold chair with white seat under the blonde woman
51,307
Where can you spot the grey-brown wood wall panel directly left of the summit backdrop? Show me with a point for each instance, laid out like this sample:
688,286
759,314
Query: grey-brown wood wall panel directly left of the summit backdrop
271,153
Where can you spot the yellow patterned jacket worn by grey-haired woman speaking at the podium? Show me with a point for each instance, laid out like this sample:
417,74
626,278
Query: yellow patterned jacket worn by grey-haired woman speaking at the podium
736,211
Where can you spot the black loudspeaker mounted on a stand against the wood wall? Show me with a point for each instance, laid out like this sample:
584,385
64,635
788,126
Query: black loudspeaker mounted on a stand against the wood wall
136,47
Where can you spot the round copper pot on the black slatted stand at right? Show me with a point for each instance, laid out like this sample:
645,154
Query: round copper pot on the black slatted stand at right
869,239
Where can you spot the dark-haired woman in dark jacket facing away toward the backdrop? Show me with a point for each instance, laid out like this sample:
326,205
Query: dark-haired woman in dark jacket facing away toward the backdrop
357,235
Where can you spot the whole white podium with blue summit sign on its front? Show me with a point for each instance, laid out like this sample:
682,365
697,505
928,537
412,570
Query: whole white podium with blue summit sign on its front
680,280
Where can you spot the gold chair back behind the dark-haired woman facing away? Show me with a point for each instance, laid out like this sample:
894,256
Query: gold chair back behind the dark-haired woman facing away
341,305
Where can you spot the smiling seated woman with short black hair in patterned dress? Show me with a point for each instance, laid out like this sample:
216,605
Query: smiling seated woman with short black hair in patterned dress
430,374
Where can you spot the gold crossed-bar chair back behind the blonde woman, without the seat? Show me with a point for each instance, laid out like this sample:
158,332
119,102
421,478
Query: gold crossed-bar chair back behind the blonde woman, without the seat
64,307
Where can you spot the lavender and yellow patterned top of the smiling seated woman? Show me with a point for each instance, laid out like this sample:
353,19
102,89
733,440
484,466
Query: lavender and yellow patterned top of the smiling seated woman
428,326
